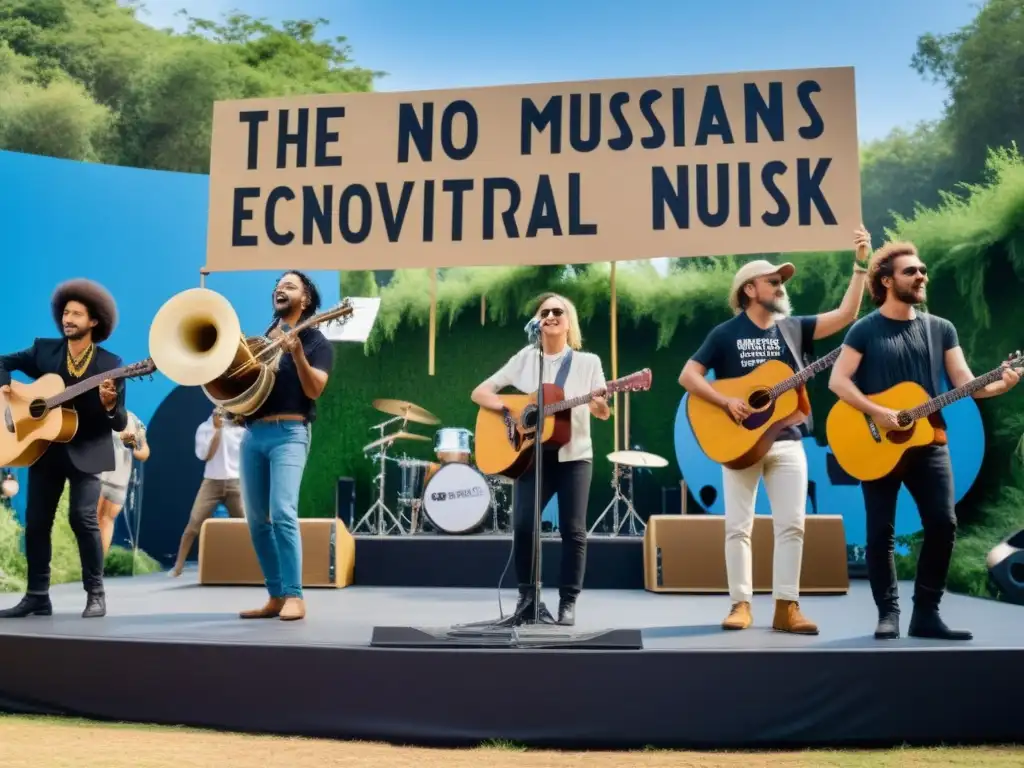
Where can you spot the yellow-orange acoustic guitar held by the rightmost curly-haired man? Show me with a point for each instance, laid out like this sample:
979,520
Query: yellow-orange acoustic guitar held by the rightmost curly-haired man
868,452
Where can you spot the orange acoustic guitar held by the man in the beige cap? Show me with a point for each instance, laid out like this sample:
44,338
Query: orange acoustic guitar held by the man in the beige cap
776,396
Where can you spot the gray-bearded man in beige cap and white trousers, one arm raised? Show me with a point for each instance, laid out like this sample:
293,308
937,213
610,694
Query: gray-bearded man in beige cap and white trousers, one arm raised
763,330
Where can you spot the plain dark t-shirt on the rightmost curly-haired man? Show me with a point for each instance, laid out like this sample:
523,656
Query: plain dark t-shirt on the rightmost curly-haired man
895,352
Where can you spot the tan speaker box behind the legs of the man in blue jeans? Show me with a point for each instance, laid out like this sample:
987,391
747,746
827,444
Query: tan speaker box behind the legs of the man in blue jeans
227,556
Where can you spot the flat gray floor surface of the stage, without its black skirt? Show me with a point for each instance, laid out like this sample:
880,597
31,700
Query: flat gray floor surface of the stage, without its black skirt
158,609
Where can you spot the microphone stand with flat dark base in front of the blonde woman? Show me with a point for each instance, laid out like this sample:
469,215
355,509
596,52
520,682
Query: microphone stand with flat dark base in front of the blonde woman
534,626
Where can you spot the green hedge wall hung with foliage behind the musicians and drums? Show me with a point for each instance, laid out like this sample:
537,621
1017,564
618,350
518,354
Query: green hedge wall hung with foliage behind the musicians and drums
975,249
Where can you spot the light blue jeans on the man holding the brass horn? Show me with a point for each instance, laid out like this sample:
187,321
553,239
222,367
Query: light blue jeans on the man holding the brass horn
273,457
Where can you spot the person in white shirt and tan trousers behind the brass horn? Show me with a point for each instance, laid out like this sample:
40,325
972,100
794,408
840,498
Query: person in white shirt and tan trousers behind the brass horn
218,443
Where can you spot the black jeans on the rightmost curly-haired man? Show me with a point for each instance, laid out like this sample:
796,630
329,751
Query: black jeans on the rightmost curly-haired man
928,476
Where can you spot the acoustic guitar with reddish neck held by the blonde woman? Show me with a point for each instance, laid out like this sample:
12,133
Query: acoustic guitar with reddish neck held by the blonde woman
501,451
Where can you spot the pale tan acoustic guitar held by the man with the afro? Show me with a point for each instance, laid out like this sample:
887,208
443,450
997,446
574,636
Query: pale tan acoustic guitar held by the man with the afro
34,416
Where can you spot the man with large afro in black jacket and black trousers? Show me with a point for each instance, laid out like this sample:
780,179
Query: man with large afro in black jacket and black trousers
86,316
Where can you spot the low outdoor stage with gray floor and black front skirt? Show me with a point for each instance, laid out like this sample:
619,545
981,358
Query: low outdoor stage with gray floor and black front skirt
174,653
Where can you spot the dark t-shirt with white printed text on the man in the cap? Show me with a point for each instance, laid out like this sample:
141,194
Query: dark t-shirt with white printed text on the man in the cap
738,347
